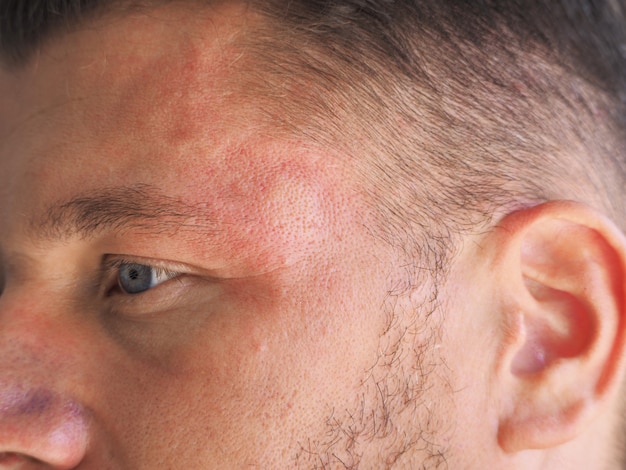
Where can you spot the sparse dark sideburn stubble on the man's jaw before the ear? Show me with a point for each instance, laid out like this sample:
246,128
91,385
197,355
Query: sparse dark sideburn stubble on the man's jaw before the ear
396,420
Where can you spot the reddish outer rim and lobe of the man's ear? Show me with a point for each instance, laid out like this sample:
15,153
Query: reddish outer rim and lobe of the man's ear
516,431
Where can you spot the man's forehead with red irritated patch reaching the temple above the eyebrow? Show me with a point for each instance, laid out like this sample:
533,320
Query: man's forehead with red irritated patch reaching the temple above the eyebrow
152,99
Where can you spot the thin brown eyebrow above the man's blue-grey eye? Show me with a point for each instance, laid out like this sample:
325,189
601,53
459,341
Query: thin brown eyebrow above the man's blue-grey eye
143,207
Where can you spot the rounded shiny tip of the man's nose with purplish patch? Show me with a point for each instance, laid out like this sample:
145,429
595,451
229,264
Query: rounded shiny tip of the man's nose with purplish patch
40,429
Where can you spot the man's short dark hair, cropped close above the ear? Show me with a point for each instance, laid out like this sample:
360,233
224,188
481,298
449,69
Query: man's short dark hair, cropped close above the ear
453,109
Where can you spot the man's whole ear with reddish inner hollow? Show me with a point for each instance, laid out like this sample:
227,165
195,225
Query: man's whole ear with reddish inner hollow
560,272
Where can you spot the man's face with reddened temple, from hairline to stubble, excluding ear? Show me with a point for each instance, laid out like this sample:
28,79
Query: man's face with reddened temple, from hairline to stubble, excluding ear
181,289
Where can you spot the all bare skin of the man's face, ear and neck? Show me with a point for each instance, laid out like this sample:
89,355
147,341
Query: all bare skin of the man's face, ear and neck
278,331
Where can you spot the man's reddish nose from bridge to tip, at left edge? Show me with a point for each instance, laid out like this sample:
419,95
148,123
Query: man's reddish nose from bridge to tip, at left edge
40,417
